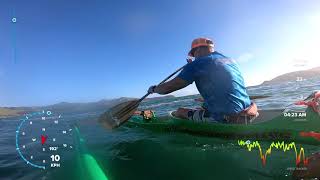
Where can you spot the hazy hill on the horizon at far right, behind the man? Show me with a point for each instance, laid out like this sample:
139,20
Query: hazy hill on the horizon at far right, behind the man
292,76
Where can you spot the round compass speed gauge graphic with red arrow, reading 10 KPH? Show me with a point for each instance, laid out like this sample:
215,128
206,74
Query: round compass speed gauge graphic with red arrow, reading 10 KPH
42,139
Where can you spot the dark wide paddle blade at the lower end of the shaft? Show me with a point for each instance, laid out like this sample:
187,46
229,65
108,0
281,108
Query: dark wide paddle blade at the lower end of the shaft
118,114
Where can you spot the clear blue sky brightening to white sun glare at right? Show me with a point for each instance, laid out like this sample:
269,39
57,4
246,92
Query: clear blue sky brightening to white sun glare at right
80,51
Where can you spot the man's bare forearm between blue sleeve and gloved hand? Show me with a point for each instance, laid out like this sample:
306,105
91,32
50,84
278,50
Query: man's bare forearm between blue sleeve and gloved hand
171,86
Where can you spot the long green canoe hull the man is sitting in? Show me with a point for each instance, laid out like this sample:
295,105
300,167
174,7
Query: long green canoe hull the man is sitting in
303,127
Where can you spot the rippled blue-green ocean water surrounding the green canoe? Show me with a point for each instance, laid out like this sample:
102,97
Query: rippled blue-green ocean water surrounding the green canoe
136,153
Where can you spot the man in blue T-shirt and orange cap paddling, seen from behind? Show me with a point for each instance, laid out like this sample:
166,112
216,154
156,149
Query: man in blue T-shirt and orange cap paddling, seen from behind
220,83
